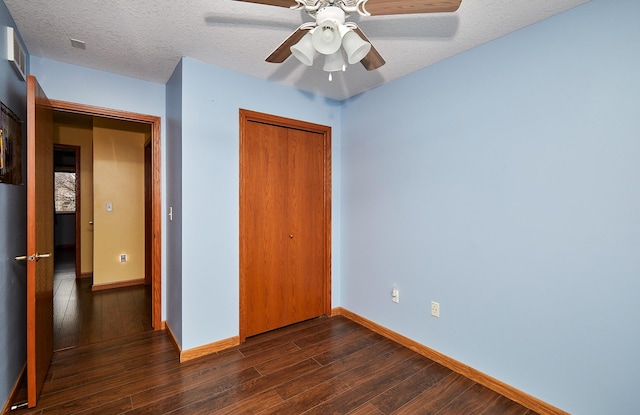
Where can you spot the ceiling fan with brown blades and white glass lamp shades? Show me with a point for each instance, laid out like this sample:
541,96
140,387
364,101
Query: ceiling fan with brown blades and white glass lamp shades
335,38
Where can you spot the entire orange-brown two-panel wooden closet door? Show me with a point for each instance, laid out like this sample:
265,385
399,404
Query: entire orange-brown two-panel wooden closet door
283,227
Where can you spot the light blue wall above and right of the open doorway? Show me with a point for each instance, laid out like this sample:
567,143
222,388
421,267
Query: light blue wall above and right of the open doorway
72,83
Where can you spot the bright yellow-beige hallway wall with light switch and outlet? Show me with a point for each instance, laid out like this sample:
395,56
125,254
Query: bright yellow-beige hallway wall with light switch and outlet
118,168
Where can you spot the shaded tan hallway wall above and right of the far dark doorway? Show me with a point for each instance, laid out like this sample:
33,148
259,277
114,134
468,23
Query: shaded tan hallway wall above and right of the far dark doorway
81,134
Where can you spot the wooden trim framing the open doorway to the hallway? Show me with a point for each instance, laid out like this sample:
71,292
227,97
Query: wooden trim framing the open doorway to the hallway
156,204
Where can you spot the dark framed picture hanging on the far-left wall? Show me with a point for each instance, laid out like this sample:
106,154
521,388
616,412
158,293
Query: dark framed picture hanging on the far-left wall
10,147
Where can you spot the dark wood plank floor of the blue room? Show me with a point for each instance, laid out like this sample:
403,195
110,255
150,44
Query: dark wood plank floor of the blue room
322,366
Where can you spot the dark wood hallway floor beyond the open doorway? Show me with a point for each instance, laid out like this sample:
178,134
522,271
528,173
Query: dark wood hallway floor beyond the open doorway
84,317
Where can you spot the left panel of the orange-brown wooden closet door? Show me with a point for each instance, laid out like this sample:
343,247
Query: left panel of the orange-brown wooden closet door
264,257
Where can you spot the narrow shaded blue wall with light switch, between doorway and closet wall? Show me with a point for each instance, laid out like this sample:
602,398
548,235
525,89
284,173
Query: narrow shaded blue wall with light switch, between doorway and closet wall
173,232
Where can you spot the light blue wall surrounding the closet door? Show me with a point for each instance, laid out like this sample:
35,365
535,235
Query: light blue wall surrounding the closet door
212,98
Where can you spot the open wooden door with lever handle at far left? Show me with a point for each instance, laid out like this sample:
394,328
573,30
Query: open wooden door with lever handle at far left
39,238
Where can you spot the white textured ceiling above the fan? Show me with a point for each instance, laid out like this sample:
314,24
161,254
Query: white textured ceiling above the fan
146,38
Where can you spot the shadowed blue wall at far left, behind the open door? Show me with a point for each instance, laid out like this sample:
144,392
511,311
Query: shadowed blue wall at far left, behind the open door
13,227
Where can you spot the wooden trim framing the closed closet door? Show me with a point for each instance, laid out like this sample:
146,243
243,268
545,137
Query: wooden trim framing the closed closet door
247,116
